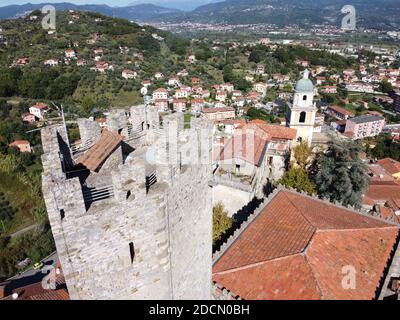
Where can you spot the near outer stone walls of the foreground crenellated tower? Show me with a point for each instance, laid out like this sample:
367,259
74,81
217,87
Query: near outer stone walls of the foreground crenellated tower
140,243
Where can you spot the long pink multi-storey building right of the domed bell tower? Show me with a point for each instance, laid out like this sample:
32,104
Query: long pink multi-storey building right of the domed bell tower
364,126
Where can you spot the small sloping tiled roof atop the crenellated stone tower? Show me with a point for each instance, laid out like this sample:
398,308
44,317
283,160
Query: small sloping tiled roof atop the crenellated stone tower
101,150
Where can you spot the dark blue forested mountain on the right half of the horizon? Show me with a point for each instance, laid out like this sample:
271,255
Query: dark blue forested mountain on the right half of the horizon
382,14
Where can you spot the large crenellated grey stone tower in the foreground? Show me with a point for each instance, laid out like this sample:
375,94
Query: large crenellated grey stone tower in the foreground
138,229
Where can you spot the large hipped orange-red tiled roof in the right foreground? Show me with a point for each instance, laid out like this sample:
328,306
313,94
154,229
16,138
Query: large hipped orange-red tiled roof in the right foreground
296,249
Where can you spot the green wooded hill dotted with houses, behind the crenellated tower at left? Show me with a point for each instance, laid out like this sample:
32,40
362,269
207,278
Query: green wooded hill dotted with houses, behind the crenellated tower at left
95,39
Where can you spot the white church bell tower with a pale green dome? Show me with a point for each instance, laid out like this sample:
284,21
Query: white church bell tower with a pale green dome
301,114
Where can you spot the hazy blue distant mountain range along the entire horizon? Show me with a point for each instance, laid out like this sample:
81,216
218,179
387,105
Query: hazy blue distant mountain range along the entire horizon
381,14
